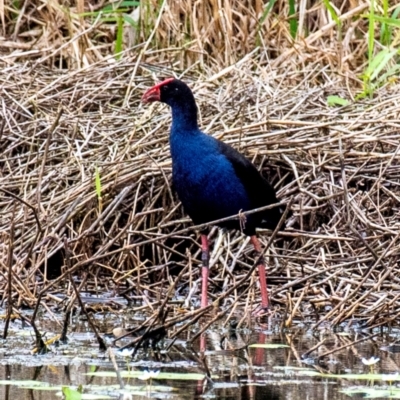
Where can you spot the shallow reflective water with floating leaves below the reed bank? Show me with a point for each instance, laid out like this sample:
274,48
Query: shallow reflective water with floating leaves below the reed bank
237,371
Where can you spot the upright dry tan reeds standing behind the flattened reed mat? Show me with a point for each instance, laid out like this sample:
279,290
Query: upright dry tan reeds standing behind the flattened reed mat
187,34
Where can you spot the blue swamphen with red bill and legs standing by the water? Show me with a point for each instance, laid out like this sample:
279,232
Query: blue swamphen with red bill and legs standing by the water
212,179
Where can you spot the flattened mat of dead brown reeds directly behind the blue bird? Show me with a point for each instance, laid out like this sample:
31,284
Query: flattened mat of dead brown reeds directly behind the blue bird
337,259
